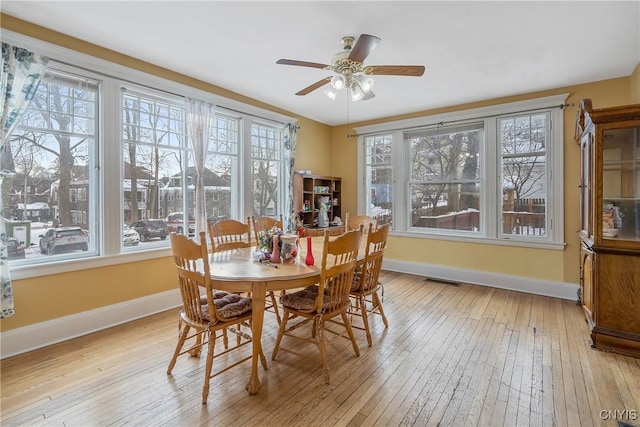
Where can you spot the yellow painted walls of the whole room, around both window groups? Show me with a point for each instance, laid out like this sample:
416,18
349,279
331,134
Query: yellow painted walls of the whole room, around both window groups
327,151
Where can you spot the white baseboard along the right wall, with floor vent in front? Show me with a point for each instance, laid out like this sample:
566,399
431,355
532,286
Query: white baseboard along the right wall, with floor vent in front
562,290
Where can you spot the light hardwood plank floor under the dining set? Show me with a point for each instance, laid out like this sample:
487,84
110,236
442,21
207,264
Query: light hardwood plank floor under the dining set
466,355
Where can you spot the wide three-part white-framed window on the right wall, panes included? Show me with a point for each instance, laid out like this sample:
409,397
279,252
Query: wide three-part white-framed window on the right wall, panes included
489,174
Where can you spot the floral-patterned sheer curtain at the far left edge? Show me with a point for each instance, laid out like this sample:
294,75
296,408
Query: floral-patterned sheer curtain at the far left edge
19,78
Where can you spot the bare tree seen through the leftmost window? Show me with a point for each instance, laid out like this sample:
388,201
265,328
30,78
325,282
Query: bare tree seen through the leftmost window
55,135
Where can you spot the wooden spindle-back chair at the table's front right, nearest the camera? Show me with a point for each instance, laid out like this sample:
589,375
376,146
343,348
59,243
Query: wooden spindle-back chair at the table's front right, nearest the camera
323,302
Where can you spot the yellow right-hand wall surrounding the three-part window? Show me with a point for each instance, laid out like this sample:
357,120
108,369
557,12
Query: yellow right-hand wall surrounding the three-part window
551,265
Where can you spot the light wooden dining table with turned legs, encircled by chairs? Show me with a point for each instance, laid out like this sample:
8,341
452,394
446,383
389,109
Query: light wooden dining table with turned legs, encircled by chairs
237,271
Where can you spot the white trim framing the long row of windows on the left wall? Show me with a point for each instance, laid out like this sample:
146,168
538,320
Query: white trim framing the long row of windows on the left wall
112,76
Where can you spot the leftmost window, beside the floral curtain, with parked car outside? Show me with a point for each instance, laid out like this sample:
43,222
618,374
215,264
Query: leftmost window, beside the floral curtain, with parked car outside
56,183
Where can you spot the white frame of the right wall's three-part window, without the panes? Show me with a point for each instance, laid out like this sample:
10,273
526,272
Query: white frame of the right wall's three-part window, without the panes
490,158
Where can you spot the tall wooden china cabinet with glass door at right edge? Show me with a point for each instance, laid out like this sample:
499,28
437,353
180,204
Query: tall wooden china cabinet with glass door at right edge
610,225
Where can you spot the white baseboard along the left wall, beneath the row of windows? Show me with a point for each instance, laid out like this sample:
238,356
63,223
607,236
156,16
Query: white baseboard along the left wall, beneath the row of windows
21,340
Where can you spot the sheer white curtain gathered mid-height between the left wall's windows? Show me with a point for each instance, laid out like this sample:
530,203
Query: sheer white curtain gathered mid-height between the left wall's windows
200,116
